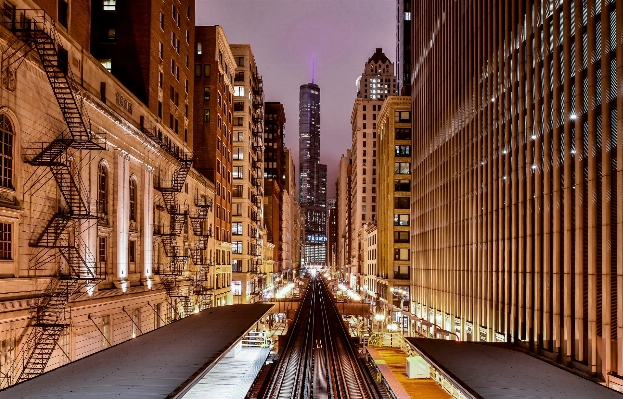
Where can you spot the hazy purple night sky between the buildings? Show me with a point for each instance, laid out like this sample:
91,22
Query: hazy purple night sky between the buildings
286,34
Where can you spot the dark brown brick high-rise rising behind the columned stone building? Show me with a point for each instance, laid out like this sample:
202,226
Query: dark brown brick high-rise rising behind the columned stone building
147,45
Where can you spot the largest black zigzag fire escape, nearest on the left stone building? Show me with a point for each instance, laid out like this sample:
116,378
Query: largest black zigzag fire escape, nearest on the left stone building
61,238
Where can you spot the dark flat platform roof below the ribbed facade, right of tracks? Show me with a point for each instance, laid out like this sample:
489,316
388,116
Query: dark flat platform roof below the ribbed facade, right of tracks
492,371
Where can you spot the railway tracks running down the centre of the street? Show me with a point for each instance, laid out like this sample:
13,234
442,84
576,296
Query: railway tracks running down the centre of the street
318,360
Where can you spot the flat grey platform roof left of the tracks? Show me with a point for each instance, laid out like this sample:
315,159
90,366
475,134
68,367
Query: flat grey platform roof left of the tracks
160,364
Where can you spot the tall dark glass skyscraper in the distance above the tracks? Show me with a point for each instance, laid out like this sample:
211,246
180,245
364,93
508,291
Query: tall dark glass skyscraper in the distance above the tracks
313,176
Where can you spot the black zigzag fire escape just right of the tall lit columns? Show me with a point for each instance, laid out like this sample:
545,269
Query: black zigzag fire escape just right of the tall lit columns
173,274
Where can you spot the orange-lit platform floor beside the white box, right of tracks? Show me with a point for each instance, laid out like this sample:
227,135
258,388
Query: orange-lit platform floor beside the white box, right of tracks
391,362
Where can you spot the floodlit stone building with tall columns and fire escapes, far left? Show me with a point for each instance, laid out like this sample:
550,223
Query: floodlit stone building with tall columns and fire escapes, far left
106,228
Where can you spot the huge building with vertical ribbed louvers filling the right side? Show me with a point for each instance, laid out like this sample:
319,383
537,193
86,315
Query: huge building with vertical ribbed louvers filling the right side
516,224
